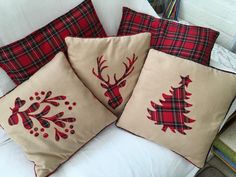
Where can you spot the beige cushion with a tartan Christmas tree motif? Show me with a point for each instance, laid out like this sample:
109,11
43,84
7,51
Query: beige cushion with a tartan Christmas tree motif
179,104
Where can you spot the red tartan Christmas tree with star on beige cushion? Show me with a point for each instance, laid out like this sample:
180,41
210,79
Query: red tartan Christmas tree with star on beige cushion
172,113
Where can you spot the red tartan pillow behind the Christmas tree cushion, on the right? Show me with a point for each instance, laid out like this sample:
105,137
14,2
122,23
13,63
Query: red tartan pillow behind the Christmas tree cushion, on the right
190,42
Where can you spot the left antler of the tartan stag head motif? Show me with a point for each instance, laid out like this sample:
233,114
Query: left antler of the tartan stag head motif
100,66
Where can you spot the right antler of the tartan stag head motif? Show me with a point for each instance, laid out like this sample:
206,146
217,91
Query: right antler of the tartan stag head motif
128,69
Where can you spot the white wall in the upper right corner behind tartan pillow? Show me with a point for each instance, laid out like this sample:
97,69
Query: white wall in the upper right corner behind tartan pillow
216,14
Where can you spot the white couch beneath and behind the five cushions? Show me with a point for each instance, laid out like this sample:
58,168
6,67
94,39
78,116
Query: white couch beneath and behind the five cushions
114,152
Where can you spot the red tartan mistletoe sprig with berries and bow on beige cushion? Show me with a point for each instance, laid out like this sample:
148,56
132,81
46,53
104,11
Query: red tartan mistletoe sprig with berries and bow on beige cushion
32,113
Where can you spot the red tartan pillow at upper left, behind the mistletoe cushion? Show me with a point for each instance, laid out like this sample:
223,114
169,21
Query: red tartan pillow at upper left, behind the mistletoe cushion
23,58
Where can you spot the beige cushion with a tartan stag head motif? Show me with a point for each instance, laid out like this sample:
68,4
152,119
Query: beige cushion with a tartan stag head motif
109,67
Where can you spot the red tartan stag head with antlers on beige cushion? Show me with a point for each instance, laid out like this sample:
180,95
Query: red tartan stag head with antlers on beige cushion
113,90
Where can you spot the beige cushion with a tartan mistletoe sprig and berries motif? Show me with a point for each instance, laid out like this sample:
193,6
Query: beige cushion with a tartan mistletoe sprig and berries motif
52,115
